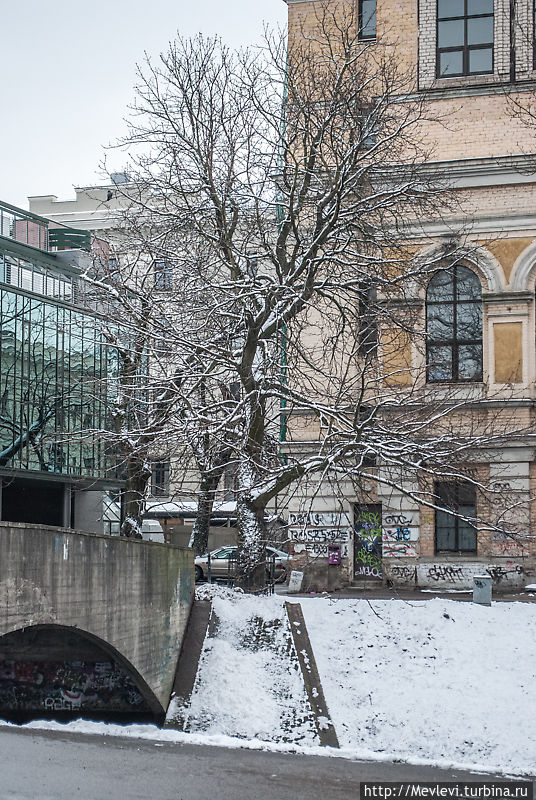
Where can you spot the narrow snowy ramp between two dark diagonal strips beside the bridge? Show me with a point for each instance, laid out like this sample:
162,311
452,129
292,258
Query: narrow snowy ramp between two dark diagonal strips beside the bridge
248,683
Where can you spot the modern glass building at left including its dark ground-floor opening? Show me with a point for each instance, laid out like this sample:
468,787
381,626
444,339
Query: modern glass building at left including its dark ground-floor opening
54,365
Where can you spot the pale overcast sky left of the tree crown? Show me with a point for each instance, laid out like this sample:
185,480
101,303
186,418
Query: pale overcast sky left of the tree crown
68,71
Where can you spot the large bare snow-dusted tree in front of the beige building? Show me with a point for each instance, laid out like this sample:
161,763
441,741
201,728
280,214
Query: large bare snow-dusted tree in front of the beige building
272,192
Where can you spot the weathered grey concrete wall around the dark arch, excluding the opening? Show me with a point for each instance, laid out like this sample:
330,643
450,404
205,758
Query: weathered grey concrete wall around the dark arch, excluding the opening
134,596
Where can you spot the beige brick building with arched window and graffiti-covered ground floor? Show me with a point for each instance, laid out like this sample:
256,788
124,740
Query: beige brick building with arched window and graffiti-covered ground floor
473,61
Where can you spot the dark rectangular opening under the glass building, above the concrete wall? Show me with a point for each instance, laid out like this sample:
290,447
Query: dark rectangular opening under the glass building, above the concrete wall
26,500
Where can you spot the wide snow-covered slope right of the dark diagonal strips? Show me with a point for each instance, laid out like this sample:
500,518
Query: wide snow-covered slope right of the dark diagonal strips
436,679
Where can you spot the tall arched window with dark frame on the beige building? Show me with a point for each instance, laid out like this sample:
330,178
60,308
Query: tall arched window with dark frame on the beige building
454,326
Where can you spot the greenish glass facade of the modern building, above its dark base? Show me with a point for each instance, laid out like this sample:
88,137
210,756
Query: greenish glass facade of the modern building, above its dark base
55,370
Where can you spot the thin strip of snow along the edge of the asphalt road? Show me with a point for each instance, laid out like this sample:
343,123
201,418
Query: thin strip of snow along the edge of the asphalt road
157,735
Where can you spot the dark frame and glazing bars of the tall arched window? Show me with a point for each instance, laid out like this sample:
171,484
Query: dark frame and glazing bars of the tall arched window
456,342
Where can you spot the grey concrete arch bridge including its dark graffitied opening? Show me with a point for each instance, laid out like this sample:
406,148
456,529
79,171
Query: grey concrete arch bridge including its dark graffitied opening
90,621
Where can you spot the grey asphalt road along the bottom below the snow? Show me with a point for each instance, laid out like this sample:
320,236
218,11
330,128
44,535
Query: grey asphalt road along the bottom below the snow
60,766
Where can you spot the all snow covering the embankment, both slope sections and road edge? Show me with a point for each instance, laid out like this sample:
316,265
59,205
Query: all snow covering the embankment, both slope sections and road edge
425,682
